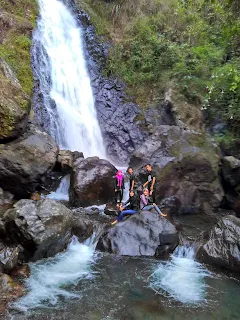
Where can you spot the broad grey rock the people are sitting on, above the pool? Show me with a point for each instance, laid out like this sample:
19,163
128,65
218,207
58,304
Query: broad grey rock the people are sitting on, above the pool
140,235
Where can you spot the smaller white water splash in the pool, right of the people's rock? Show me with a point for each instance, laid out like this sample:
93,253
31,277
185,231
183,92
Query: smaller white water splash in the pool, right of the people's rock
182,278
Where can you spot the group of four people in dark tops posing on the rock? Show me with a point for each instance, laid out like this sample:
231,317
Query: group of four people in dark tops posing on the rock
147,199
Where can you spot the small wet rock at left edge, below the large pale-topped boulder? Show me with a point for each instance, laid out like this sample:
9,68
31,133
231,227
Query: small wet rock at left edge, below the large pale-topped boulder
8,256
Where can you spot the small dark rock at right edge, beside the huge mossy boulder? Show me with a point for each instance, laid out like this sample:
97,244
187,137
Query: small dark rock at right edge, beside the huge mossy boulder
231,171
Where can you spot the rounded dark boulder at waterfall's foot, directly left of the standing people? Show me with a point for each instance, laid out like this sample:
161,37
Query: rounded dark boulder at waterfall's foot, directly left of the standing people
92,182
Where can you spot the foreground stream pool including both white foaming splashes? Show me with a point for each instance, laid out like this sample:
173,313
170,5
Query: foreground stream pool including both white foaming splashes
84,284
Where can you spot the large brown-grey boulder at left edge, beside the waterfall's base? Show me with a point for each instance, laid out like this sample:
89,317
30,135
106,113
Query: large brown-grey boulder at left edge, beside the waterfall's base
25,161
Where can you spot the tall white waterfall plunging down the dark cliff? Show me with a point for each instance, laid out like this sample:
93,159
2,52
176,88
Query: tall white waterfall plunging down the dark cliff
61,72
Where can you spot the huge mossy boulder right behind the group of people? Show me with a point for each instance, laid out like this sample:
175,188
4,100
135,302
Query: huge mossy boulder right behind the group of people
186,166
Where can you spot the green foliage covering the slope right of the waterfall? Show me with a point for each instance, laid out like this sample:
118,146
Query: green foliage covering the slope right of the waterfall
192,45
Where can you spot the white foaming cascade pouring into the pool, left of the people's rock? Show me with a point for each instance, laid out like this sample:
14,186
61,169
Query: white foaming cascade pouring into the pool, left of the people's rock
50,277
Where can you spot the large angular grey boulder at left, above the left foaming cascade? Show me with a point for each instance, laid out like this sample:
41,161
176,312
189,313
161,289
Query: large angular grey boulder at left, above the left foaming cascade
43,227
